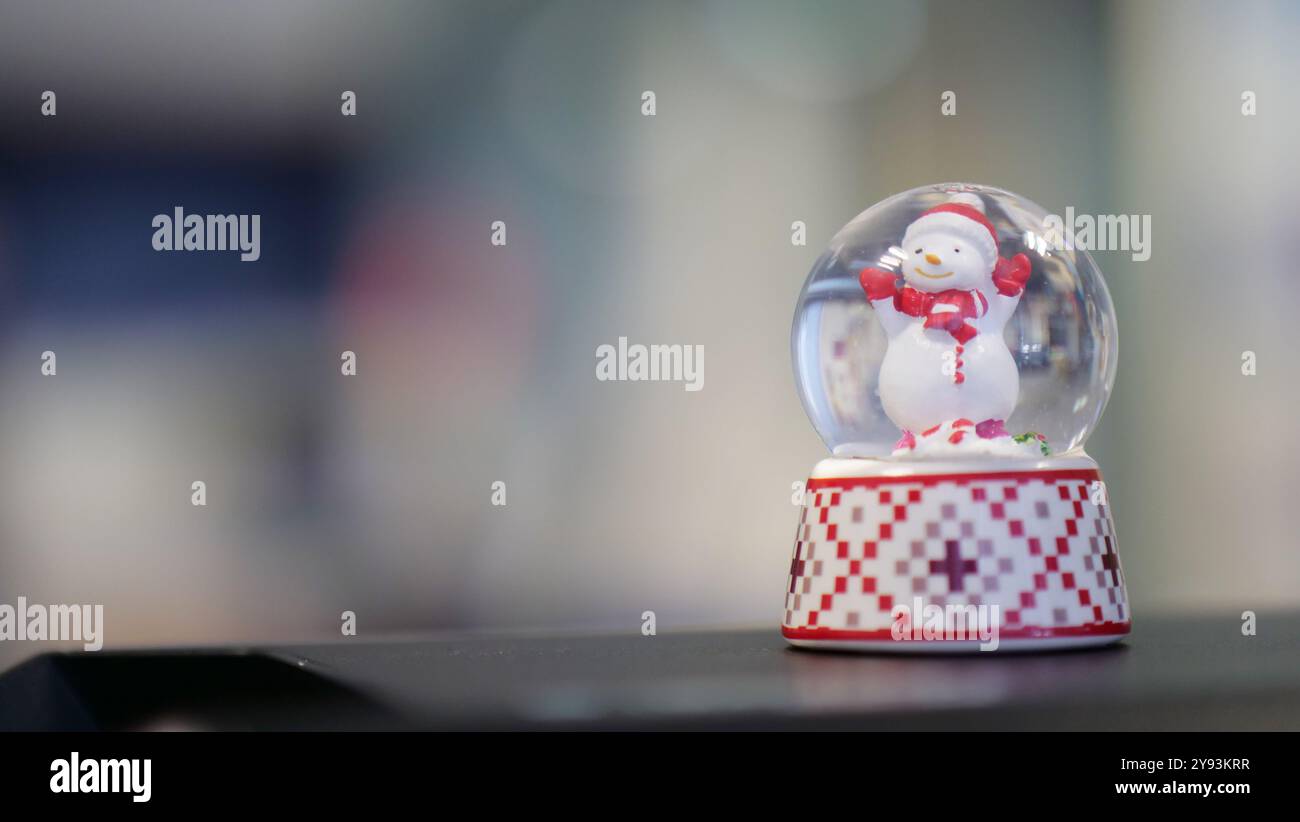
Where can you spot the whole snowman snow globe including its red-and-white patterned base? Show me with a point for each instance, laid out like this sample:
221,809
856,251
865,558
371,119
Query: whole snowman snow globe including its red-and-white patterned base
955,351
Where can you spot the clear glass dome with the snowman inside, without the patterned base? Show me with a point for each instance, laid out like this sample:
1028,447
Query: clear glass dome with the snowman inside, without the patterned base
870,373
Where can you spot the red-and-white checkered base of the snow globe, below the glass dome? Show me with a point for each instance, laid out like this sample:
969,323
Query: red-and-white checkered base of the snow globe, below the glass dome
1033,543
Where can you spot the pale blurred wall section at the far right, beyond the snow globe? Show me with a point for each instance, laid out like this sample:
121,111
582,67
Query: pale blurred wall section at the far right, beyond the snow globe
1207,492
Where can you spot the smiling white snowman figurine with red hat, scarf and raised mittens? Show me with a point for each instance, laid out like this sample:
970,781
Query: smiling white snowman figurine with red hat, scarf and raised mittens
947,370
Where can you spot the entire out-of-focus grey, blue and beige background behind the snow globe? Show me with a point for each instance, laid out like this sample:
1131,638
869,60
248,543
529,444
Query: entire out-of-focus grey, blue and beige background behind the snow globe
476,364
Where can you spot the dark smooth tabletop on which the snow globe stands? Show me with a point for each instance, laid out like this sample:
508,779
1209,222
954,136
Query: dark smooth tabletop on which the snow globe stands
1173,673
